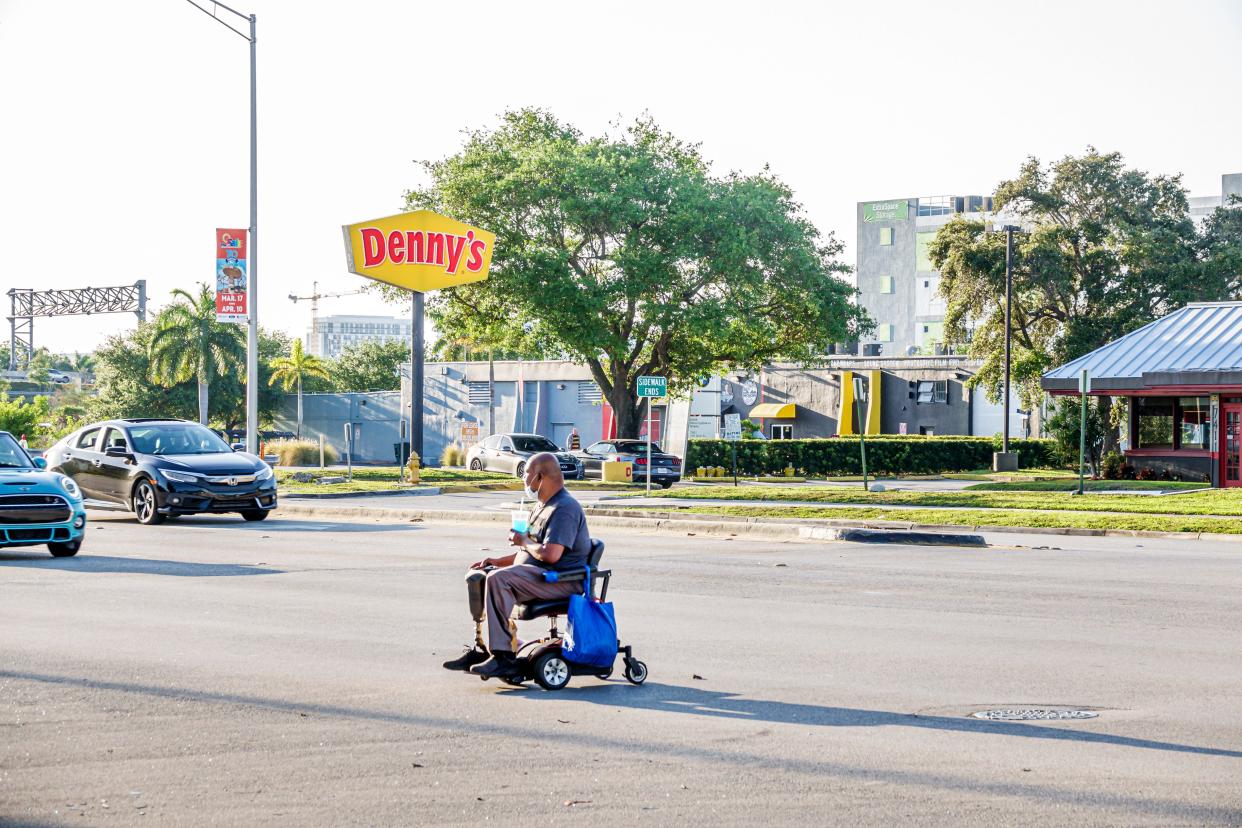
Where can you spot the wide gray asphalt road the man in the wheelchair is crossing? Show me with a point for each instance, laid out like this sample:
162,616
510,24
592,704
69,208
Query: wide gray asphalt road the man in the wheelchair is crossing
213,672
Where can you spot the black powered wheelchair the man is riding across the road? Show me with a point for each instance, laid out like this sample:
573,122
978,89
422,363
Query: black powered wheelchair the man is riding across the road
543,661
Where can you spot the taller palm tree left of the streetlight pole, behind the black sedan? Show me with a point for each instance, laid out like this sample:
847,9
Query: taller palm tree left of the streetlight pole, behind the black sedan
191,344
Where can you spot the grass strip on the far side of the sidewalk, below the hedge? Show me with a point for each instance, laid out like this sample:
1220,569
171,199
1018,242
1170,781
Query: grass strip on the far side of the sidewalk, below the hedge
1208,502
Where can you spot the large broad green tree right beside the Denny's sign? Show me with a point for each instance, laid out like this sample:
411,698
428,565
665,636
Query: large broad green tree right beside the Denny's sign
629,256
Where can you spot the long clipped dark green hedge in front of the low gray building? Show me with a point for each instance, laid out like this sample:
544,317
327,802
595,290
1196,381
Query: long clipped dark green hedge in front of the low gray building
886,455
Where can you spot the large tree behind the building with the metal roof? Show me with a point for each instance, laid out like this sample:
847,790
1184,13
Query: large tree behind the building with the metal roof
1105,250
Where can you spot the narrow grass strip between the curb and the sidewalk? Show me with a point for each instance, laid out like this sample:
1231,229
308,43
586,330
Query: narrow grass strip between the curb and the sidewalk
974,518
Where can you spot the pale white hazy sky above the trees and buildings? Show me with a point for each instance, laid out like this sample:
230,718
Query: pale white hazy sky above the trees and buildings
125,137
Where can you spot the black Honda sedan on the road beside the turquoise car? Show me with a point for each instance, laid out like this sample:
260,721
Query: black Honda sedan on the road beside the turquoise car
160,469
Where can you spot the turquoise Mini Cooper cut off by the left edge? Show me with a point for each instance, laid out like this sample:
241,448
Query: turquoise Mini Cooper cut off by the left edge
37,506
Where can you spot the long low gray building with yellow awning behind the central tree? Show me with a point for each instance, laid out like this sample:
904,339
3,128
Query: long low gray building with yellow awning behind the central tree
921,395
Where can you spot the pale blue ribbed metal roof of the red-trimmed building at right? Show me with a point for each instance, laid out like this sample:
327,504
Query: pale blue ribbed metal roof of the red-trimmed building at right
1200,344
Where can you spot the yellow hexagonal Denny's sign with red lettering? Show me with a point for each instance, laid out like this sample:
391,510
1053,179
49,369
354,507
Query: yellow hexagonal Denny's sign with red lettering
419,251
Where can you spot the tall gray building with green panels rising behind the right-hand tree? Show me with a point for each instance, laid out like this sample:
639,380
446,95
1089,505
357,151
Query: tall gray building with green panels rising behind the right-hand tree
896,281
